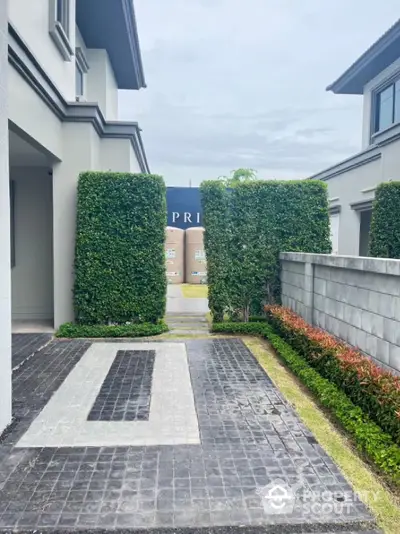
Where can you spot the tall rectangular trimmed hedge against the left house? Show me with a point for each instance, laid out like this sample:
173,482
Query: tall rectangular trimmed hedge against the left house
119,259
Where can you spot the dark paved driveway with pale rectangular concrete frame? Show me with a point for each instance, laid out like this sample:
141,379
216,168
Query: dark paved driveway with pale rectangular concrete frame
221,453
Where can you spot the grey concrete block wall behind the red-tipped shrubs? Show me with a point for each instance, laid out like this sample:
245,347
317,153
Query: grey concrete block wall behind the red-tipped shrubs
356,299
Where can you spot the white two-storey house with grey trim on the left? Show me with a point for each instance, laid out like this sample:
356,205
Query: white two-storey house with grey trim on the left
65,61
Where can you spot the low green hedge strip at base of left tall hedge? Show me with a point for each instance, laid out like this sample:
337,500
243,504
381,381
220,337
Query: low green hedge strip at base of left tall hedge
72,330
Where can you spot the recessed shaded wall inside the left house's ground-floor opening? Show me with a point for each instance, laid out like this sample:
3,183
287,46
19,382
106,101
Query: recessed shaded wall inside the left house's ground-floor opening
32,275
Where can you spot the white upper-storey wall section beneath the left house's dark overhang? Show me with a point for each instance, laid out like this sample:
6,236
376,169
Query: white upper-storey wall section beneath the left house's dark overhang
101,83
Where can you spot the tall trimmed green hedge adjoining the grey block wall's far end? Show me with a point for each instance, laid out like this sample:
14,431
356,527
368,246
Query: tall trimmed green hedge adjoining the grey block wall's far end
263,218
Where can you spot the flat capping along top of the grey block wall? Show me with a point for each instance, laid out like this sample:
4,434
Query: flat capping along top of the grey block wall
357,263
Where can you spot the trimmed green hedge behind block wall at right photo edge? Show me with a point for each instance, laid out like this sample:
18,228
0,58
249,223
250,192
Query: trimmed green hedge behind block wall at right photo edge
385,224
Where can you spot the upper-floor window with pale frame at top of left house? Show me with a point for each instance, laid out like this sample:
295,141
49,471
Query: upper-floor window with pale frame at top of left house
59,26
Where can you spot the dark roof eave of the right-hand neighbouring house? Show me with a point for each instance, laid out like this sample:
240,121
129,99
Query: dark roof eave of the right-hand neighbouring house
380,55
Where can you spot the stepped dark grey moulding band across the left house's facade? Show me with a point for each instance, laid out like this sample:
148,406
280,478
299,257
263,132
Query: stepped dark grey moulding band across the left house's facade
25,63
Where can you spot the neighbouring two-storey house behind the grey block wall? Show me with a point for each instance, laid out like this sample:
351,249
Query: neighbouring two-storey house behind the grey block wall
352,183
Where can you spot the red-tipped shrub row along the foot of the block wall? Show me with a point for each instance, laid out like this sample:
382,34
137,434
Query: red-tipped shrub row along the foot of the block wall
370,387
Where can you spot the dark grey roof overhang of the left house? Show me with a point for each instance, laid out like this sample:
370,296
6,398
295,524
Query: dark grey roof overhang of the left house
111,25
